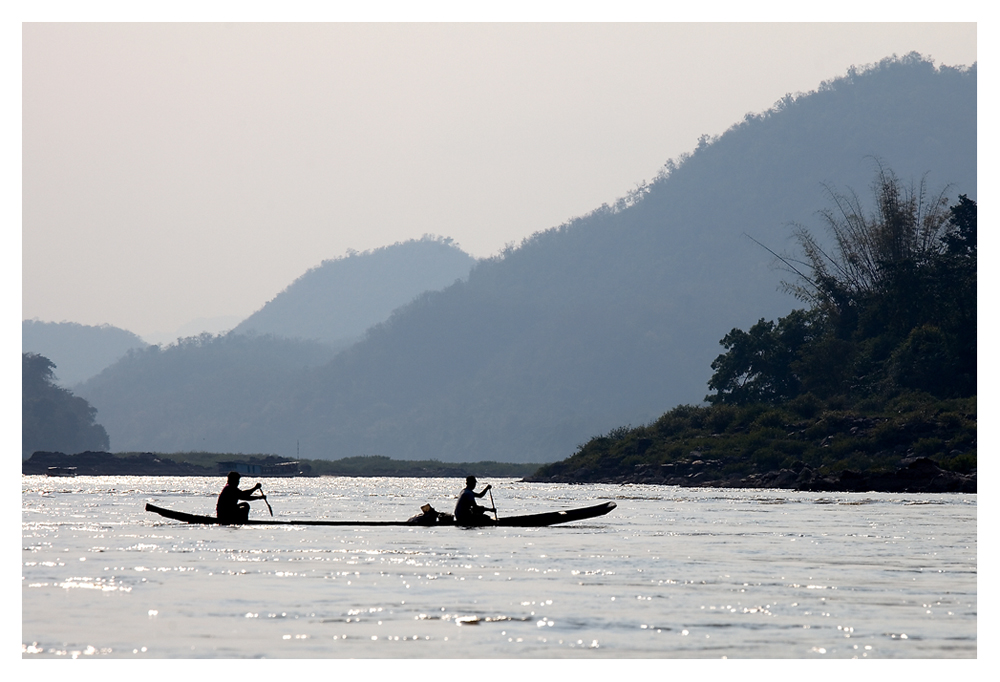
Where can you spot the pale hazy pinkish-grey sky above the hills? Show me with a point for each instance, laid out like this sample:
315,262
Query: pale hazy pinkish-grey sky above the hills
182,171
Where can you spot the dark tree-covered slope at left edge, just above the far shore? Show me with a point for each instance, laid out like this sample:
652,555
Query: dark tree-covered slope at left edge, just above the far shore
52,418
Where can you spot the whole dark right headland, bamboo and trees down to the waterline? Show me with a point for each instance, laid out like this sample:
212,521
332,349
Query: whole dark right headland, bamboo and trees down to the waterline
872,387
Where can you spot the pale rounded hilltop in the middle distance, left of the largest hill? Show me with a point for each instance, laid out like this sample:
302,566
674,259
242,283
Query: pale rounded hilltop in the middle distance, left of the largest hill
338,300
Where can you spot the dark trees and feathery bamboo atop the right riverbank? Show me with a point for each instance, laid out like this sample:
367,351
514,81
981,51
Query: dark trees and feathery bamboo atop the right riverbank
893,307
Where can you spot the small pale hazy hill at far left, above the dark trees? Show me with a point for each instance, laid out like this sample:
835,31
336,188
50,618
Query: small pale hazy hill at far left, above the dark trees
78,351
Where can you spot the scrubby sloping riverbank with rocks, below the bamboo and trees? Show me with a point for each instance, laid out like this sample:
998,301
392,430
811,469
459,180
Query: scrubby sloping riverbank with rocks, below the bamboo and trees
912,444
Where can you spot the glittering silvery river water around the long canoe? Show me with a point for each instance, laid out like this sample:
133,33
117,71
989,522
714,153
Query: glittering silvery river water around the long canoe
670,573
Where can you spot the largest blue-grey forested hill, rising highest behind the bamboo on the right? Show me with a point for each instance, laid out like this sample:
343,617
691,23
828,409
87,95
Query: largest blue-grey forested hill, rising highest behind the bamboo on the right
614,317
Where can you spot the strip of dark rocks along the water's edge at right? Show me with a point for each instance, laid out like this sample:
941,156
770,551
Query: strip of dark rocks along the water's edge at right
914,475
